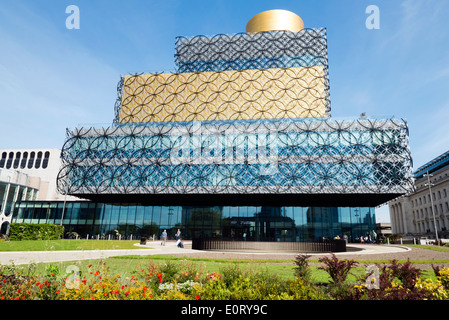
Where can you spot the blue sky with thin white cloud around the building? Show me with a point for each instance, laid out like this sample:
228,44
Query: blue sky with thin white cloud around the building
53,78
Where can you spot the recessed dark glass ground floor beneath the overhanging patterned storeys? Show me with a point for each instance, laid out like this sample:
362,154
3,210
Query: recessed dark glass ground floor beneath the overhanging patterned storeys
251,223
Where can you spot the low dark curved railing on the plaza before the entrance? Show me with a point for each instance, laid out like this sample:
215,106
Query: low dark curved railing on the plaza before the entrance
229,245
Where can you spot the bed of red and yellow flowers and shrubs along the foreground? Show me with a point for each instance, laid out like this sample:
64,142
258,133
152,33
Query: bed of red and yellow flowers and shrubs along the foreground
188,281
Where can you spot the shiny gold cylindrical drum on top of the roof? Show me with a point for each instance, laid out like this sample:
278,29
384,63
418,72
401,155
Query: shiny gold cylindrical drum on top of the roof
275,20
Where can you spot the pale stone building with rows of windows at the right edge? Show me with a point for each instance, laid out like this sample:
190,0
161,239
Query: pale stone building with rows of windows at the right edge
426,209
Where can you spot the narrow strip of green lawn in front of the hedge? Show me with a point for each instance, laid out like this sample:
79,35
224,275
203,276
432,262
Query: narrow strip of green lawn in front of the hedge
54,245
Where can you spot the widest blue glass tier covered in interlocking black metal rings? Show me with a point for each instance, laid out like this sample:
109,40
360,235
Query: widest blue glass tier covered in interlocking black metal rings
270,156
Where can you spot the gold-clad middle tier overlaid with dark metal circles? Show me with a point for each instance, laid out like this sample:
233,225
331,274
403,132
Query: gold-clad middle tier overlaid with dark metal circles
226,95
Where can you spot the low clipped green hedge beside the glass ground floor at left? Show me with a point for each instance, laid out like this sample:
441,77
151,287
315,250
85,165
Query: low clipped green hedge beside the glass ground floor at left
28,231
